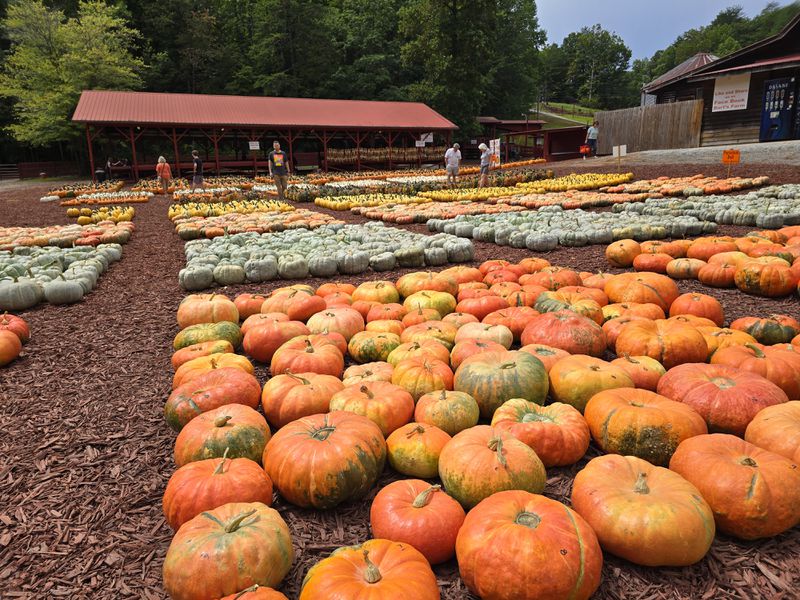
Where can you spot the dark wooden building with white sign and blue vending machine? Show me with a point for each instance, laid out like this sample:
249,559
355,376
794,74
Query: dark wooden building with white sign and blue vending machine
747,96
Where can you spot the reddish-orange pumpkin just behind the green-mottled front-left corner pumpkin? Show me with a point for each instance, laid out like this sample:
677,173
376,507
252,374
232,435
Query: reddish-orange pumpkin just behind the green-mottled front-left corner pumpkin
207,484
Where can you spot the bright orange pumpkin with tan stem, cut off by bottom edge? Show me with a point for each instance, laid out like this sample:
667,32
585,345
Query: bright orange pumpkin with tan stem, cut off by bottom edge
377,568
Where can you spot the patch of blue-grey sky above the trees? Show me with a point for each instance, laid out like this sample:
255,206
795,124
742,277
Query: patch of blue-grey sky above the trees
645,25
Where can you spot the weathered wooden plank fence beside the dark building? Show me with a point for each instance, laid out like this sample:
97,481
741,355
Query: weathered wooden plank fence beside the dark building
656,127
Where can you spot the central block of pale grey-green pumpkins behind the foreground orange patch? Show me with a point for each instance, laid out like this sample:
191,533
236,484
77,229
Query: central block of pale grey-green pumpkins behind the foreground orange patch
323,252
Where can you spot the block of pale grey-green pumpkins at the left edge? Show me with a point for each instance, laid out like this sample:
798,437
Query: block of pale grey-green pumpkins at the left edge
51,274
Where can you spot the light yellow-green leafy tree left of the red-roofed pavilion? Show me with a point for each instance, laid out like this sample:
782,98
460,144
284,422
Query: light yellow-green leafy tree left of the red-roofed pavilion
52,59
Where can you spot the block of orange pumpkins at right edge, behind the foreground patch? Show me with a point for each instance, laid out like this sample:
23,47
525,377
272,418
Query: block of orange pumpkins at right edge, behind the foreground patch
763,263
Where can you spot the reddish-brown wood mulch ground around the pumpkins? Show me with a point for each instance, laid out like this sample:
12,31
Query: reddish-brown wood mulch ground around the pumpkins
85,453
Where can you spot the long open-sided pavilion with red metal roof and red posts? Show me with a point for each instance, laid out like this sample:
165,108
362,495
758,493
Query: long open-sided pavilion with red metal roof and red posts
235,133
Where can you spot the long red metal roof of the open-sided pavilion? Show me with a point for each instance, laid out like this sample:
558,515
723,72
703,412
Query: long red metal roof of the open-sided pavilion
253,111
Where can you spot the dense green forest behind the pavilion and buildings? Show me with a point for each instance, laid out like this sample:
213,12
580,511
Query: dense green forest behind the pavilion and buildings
462,57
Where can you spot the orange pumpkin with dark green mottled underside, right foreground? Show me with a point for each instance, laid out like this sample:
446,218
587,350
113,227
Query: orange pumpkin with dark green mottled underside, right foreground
641,423
